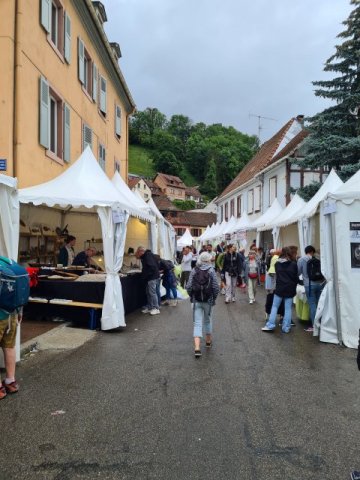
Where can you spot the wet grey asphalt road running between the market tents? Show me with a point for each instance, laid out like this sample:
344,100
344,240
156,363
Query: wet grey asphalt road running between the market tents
136,404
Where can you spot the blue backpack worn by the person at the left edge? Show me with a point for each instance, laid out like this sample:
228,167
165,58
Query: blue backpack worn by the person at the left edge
14,285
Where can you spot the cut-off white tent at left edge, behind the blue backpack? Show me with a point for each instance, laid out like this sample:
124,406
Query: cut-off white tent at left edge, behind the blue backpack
9,229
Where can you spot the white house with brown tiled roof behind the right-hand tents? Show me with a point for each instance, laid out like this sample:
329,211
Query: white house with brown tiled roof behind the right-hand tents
271,174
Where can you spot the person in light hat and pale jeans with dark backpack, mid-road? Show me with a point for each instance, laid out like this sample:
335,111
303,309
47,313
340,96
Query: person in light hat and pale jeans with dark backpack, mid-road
203,289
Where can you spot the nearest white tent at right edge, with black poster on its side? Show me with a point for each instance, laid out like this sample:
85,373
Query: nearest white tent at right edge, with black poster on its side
340,263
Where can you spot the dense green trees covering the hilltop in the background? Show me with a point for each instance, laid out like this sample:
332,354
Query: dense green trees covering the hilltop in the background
213,154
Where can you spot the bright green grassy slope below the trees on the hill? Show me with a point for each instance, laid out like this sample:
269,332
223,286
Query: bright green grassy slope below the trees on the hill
140,163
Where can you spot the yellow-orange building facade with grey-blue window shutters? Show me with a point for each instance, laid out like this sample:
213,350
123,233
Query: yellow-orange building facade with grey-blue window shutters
61,89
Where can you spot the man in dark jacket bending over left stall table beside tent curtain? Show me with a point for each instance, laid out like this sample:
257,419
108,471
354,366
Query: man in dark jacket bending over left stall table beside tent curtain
151,276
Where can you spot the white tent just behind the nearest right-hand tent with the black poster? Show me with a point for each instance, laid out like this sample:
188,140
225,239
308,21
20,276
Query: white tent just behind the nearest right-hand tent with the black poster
306,222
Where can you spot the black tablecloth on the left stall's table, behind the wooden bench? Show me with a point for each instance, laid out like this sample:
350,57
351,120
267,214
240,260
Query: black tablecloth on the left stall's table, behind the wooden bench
133,289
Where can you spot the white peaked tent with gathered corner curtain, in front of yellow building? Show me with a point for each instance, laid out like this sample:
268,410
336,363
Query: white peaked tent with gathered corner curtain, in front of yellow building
84,184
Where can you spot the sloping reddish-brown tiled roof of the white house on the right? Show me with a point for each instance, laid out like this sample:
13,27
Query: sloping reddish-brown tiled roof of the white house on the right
263,158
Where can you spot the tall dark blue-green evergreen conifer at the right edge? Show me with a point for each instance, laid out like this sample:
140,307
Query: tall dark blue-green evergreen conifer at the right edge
334,139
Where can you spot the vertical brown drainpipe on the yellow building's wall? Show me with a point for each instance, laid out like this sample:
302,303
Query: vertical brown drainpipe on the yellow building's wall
16,102
